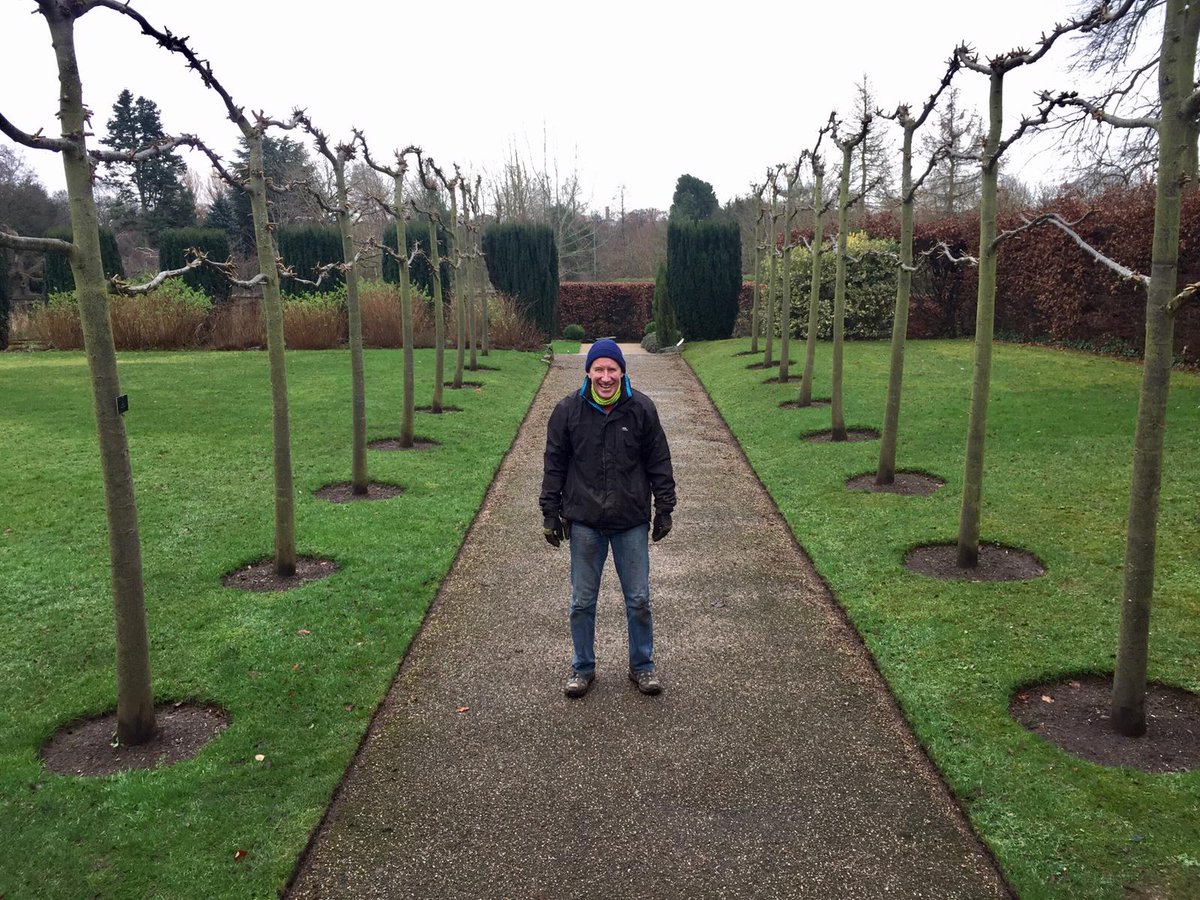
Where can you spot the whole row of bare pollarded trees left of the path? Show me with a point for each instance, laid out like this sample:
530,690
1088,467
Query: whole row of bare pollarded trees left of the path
136,715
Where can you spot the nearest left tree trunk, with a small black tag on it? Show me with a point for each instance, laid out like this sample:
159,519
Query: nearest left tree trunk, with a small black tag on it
135,698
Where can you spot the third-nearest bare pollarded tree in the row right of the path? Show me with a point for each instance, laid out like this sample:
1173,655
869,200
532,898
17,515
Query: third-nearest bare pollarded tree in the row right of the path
886,472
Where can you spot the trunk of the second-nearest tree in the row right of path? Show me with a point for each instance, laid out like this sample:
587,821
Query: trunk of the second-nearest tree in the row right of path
986,309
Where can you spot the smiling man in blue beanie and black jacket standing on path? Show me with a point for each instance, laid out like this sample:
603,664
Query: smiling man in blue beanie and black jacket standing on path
605,455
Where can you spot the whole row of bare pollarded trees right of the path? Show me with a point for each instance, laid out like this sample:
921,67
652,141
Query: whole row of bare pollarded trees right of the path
1173,117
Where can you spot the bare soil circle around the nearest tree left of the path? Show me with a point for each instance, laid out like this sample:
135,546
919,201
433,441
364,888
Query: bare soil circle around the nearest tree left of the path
86,748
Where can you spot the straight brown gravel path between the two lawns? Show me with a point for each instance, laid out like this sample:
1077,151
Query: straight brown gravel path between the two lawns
773,766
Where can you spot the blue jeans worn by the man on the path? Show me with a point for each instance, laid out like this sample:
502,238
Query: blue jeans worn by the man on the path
632,556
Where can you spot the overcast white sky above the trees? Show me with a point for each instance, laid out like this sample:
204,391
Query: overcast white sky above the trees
629,94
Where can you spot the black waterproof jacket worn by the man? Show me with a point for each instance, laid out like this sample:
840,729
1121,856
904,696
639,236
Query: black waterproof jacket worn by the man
602,469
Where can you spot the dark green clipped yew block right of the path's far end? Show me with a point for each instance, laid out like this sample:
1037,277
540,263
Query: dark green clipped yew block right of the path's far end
704,278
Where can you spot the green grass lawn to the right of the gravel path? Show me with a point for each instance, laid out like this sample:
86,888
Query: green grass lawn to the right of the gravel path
1057,483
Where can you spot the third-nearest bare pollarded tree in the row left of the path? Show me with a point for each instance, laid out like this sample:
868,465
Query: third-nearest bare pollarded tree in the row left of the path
338,159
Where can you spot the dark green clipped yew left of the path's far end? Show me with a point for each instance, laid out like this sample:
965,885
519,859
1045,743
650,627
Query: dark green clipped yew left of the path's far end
523,262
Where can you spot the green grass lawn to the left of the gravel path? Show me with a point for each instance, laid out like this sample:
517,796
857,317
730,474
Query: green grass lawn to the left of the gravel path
200,439
